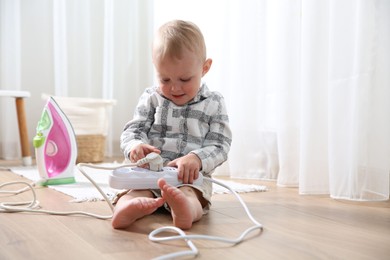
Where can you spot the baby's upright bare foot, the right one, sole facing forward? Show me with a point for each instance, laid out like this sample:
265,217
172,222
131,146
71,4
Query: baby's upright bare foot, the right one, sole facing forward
184,204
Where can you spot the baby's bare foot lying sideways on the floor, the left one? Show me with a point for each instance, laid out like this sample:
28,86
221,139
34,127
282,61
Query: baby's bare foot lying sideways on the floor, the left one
127,212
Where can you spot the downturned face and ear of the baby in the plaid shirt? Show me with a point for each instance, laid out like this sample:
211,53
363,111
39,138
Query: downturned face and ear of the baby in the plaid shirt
179,79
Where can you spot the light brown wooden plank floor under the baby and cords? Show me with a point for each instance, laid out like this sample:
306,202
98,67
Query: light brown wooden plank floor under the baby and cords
295,227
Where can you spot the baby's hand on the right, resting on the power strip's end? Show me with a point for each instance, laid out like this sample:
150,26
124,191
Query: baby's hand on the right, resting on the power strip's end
188,167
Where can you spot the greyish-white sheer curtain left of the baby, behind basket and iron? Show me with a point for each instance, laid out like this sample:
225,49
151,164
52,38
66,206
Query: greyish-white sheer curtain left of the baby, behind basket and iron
90,48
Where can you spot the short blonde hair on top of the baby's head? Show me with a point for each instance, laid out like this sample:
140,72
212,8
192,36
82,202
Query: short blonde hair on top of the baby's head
175,36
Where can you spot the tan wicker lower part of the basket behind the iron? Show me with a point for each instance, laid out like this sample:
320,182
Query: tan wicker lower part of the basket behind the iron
90,148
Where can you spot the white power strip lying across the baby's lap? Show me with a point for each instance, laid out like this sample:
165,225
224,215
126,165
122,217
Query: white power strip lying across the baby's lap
139,178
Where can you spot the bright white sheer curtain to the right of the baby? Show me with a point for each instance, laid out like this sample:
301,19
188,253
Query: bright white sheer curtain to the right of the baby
307,90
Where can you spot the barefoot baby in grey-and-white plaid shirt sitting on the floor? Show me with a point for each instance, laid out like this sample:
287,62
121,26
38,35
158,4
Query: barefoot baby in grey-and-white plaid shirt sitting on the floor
184,122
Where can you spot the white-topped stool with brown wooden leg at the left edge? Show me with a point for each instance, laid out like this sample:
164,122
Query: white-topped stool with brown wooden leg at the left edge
22,122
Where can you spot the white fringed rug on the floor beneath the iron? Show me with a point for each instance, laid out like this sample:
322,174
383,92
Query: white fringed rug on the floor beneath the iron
83,190
